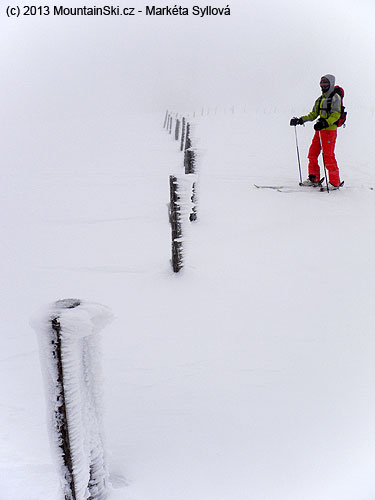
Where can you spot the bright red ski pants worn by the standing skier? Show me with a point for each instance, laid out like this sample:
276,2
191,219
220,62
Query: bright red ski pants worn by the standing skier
327,142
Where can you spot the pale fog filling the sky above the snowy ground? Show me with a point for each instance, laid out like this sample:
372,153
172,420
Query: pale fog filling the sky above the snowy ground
266,53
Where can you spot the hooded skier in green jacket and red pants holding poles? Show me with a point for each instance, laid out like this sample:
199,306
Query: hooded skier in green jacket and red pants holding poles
328,109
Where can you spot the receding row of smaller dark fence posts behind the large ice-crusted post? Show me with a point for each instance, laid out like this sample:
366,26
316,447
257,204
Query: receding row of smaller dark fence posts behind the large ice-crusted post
177,187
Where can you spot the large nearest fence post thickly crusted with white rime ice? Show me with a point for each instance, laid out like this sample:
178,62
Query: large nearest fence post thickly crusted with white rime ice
68,338
